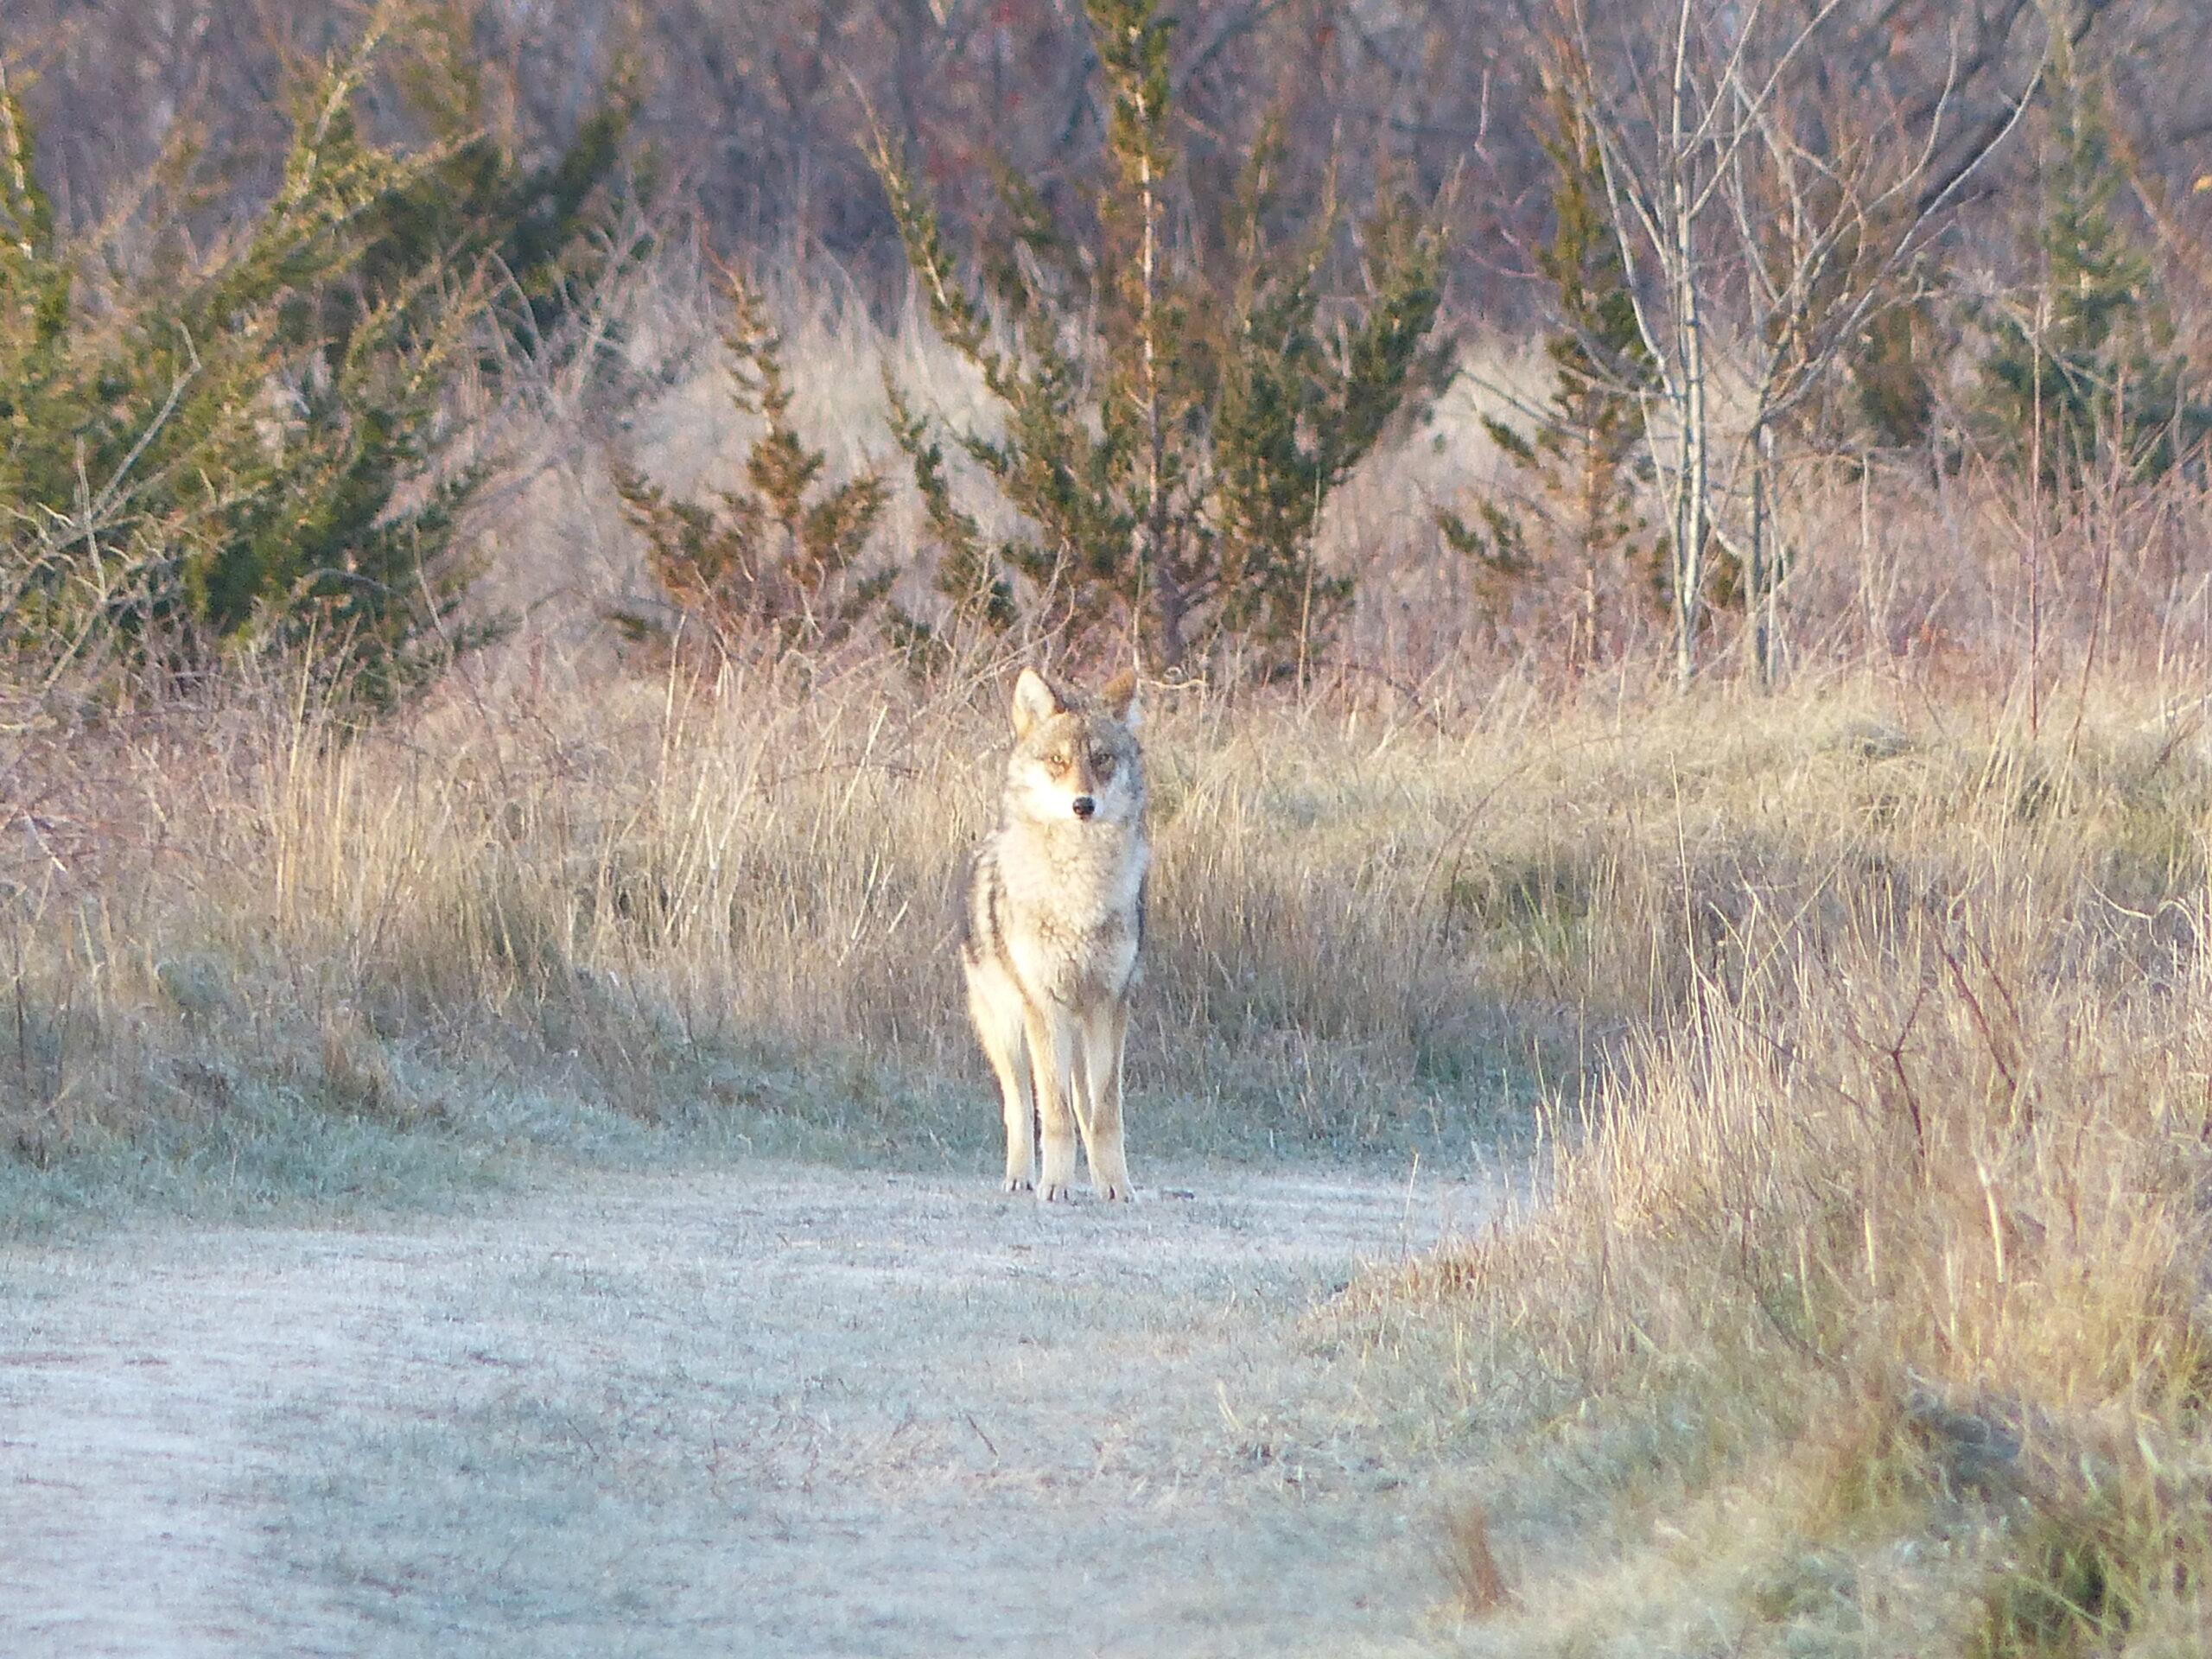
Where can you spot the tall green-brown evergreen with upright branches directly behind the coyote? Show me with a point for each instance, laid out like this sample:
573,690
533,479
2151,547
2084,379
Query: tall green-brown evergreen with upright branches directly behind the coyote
1171,435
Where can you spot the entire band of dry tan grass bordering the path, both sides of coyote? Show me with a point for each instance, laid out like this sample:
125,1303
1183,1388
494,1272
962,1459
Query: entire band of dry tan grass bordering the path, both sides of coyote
1864,1293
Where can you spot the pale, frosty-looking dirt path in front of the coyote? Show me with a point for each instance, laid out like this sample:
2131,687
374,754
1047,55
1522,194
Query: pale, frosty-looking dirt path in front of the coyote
758,1412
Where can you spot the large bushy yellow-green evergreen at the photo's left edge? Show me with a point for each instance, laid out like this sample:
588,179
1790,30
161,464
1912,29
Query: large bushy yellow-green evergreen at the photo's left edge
233,452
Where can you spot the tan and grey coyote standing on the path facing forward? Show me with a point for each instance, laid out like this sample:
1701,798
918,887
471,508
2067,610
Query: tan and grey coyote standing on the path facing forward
1050,930
